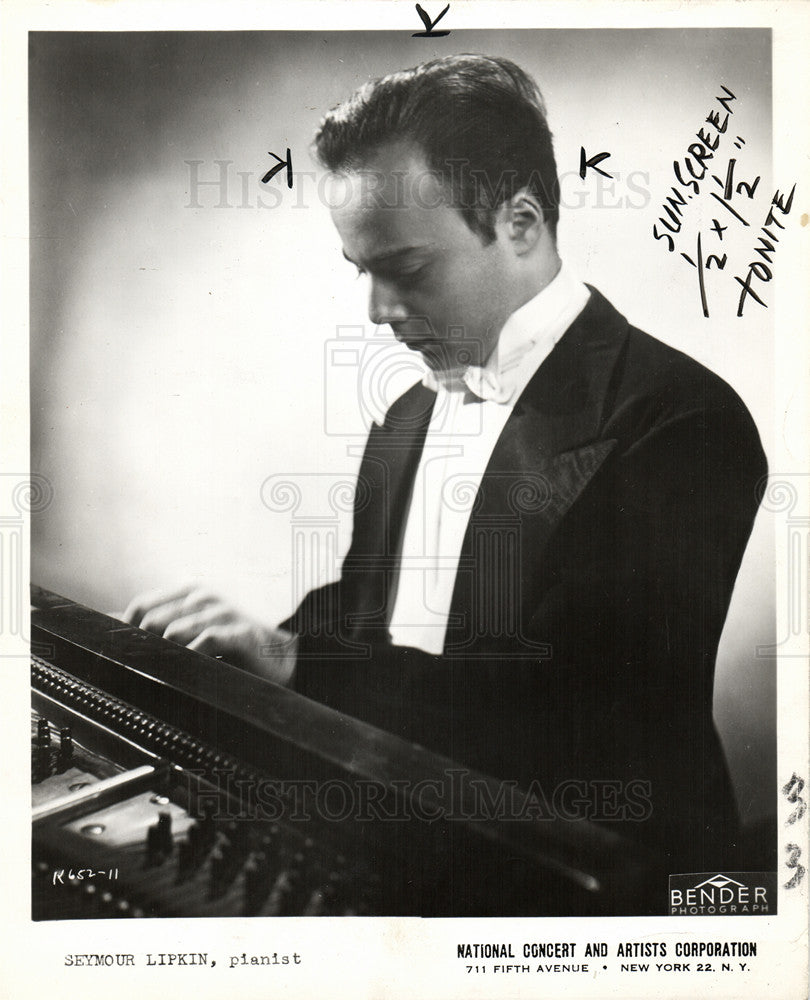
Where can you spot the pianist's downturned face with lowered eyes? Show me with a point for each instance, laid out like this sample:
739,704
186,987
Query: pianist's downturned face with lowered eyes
442,292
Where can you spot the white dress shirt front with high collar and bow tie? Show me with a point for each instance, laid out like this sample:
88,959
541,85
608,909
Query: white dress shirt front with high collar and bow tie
458,445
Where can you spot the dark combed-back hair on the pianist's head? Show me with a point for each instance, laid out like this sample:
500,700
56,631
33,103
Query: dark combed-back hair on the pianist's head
480,122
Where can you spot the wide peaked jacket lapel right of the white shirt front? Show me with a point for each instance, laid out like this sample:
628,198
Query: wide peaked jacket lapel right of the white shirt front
549,450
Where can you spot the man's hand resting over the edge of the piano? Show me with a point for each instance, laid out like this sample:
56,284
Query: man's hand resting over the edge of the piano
195,618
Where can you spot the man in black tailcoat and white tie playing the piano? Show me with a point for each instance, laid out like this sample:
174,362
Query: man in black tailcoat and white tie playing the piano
548,528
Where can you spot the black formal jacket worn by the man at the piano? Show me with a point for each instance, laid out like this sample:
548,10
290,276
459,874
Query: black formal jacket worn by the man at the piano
596,573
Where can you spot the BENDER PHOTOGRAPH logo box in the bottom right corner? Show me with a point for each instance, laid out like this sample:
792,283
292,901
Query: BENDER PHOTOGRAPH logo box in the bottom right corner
737,894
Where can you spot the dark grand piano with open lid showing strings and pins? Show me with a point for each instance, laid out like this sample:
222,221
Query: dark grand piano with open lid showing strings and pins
168,783
